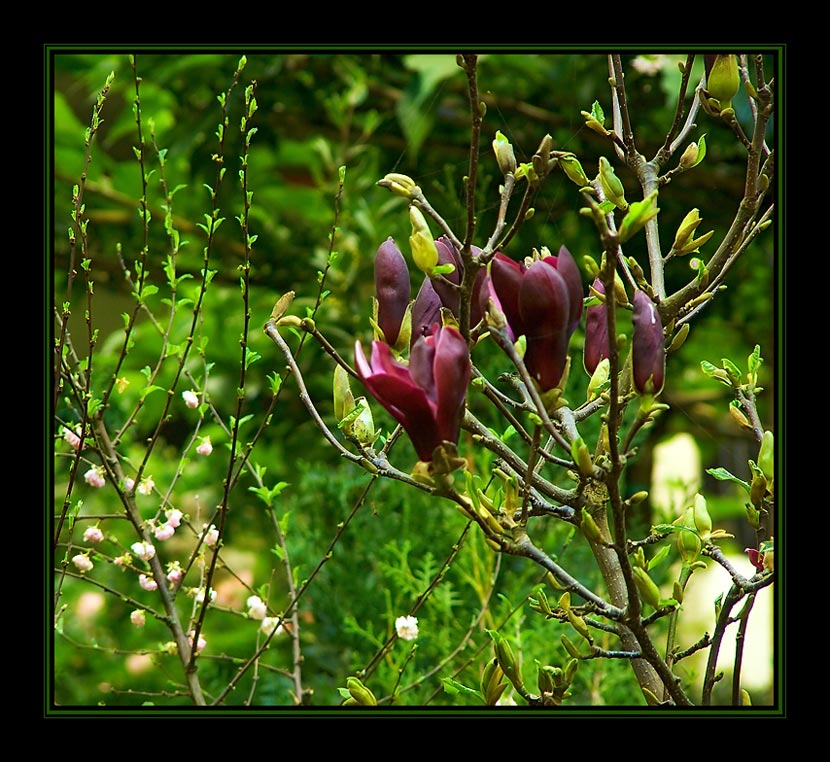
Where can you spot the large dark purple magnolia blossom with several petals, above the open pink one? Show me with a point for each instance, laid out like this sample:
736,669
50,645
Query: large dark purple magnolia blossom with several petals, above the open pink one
543,303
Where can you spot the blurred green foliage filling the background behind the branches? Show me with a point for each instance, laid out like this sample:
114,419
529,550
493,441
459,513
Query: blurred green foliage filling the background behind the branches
372,113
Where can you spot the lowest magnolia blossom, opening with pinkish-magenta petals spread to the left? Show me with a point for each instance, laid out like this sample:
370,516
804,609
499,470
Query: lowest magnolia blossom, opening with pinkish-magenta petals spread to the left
427,397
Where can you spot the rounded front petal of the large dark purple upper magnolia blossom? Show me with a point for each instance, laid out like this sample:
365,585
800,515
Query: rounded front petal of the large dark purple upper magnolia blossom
544,306
